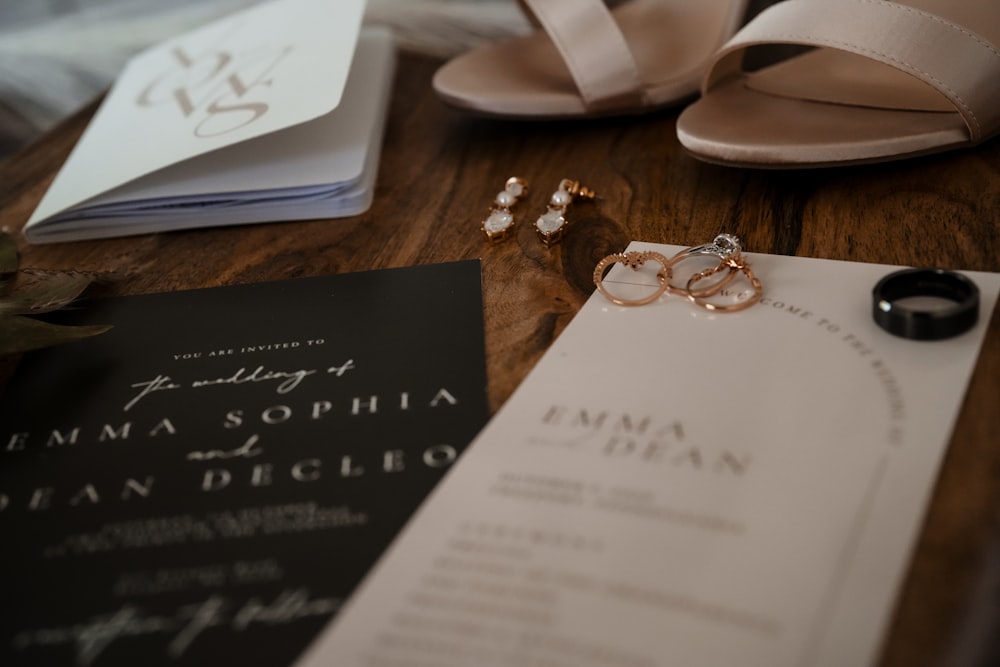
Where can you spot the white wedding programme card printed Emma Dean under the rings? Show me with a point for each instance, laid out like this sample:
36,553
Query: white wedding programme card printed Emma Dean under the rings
671,486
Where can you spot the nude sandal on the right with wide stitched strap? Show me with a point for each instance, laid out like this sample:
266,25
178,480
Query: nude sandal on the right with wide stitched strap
889,80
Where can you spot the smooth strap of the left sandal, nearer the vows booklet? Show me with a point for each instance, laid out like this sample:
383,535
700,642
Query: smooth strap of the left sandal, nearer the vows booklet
593,47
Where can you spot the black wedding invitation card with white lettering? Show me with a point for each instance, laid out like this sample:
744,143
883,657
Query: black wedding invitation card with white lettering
208,481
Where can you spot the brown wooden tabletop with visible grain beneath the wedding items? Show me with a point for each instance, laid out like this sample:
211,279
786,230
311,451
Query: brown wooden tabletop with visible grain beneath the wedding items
439,172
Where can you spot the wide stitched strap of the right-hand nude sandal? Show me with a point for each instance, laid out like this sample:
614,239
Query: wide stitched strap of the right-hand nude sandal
961,65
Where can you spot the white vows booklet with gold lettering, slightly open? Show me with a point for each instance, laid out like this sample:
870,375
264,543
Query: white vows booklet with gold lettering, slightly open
274,113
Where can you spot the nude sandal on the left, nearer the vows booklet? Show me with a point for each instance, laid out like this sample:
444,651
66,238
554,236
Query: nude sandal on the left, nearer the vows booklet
589,60
